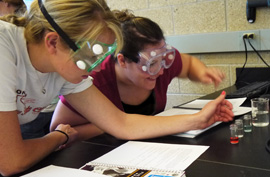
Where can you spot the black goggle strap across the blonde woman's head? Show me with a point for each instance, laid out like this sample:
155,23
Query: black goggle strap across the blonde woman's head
65,37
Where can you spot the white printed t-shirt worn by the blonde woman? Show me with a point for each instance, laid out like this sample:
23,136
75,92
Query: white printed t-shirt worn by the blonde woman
20,87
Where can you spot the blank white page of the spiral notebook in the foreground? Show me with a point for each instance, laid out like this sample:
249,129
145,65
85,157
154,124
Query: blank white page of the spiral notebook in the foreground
152,156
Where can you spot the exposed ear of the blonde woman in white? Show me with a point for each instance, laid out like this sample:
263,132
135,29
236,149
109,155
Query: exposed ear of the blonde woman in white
51,41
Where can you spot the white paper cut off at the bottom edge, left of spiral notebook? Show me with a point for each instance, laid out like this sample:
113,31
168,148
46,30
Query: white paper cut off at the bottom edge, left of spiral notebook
56,171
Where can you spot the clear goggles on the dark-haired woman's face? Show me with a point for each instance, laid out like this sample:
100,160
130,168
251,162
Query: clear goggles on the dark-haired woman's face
152,61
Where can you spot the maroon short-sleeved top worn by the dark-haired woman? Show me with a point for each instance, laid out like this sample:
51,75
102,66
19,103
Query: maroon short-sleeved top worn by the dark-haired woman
105,81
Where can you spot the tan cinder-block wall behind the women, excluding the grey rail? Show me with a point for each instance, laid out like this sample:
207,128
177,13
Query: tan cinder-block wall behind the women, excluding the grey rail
179,17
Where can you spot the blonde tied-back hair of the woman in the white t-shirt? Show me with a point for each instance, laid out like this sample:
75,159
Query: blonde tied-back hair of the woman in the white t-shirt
79,19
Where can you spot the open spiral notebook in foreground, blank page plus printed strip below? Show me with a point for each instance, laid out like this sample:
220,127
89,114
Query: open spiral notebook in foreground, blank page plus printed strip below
146,159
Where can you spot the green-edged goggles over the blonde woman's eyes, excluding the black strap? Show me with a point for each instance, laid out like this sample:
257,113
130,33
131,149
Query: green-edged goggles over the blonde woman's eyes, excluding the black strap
90,54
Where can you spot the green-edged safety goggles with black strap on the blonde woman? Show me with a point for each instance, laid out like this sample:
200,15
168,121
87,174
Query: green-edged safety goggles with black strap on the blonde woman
86,55
